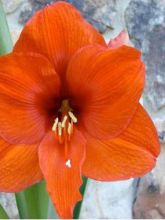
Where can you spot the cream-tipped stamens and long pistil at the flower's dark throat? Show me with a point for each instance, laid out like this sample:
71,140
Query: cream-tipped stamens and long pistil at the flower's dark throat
63,127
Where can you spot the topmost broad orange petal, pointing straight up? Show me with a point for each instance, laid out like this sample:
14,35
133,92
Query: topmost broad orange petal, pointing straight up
57,31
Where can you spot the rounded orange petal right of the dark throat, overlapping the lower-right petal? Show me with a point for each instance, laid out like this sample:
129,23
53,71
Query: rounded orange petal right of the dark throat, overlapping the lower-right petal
106,86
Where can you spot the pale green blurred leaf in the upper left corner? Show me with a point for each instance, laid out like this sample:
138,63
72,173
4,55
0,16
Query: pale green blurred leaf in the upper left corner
6,44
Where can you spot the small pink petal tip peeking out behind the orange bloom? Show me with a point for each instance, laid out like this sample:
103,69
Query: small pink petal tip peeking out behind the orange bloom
121,39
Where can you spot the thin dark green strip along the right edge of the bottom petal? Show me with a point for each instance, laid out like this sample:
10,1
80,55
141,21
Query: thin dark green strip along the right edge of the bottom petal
77,209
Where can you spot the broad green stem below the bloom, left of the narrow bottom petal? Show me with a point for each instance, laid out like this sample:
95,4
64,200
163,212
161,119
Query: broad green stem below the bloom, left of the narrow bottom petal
34,203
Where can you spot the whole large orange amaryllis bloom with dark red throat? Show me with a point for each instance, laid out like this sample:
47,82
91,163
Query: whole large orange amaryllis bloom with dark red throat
69,106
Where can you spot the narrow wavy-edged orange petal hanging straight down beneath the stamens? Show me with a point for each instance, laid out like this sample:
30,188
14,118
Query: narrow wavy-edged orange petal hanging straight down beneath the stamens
63,183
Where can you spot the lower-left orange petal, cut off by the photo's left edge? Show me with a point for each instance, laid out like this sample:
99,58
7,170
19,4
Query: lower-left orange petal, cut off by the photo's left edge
19,167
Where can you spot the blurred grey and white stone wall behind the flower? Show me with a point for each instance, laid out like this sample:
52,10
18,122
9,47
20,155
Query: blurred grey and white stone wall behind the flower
145,21
